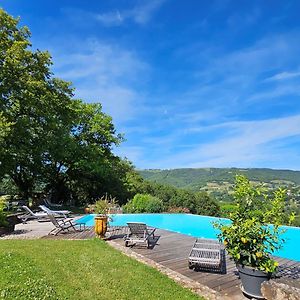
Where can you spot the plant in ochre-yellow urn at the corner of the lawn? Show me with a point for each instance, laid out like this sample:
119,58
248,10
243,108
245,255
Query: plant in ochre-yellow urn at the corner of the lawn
102,208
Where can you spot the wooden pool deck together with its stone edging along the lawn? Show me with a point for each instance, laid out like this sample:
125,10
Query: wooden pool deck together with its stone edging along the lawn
169,253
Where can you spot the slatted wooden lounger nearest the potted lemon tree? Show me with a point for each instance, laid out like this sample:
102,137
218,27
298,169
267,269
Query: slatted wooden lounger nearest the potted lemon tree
206,254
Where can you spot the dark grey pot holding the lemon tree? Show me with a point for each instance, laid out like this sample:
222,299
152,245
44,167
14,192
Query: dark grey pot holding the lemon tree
251,281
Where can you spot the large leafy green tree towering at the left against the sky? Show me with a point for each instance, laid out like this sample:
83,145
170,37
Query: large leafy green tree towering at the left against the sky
47,138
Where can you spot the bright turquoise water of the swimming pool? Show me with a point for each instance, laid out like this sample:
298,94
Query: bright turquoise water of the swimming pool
197,226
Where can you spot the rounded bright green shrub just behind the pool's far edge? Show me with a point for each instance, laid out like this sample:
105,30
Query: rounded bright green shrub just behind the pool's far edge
144,203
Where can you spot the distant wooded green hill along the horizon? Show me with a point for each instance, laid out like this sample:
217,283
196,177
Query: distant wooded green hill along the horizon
220,179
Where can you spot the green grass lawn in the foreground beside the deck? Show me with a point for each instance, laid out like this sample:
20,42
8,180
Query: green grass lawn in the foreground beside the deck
89,269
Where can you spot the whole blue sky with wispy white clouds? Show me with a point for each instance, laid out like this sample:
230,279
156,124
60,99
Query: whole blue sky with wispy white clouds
189,83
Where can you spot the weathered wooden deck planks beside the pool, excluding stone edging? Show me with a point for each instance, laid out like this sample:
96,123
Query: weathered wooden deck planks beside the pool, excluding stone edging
171,250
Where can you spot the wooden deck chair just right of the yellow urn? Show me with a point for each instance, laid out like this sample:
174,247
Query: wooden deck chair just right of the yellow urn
139,233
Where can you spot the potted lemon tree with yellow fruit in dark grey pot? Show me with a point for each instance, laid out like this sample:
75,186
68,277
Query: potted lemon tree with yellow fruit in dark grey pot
248,238
